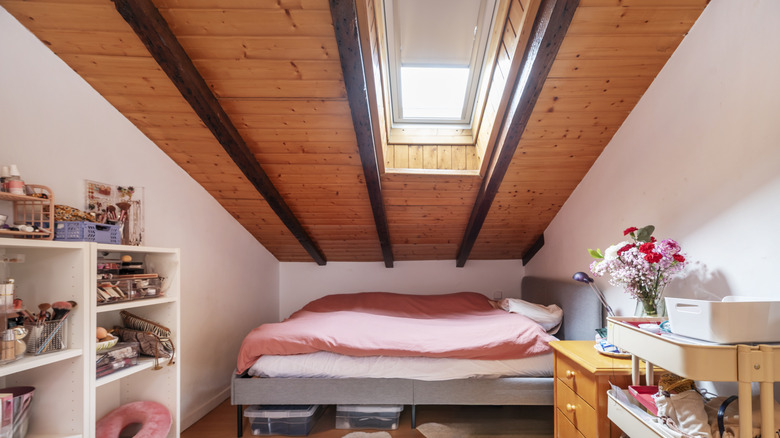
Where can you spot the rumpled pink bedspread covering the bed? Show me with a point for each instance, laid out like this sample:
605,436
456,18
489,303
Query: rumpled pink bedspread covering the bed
459,325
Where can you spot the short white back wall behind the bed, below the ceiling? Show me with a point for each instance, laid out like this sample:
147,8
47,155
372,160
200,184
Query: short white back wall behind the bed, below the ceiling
302,282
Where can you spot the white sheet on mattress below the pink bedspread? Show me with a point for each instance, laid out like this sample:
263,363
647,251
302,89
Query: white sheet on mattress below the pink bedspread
331,365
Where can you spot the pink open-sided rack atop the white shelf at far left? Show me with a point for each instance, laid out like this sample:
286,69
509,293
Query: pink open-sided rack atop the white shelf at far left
35,210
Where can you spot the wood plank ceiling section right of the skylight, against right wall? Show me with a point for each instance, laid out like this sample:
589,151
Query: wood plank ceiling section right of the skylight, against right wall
612,52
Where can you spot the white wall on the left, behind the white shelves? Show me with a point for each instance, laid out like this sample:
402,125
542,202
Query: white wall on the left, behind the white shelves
59,132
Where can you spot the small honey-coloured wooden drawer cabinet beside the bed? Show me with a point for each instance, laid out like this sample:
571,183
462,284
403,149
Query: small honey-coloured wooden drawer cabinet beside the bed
582,377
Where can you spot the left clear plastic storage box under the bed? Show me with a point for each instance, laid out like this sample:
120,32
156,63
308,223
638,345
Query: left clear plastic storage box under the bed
291,420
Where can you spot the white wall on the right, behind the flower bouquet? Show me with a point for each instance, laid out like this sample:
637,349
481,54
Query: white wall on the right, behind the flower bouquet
699,158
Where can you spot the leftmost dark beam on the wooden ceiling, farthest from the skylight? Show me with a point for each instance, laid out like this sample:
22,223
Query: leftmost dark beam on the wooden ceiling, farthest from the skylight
158,38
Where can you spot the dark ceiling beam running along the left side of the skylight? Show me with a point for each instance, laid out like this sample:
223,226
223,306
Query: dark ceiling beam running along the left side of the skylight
345,22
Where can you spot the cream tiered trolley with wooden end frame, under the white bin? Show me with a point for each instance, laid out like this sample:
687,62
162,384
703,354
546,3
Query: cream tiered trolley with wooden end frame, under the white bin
696,360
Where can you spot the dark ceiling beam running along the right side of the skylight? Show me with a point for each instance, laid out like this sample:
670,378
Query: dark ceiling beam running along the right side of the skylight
549,29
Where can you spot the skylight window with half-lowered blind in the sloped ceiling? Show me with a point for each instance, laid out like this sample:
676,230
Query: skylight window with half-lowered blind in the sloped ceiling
436,51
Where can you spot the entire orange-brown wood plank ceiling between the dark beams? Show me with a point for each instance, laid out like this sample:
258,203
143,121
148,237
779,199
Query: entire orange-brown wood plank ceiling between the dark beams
275,69
